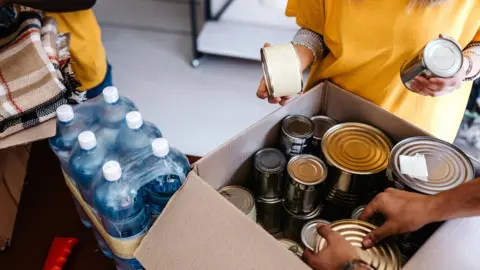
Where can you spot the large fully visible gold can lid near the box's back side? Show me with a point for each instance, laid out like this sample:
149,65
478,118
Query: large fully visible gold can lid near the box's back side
356,148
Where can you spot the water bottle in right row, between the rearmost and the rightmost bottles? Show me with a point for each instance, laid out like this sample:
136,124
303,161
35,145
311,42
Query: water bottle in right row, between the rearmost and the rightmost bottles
136,134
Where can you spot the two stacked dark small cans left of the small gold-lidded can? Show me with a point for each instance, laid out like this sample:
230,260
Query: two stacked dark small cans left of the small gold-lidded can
269,181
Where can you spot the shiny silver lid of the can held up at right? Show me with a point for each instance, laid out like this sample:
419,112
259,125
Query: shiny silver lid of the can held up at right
443,57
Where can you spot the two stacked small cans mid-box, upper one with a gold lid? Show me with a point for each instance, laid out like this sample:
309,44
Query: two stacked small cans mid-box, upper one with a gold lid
302,200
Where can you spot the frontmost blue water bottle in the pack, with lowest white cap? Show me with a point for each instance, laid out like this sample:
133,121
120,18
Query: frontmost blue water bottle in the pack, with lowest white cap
121,208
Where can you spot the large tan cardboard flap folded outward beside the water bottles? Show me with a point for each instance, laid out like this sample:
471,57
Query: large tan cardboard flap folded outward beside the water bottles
199,229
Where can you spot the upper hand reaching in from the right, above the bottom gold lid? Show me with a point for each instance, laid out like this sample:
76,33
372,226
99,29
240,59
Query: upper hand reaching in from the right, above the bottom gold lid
403,211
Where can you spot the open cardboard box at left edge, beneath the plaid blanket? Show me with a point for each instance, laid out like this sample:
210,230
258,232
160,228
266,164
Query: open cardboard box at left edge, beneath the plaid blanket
14,154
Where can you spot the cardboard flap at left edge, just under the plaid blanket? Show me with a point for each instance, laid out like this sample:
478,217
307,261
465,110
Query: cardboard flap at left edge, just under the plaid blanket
42,131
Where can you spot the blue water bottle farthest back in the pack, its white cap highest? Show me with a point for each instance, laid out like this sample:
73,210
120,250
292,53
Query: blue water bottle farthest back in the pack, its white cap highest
111,114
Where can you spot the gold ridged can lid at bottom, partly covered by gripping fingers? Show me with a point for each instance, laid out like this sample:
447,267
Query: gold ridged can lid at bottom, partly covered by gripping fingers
383,256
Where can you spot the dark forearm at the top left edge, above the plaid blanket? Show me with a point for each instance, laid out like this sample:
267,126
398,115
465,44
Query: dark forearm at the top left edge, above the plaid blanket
56,5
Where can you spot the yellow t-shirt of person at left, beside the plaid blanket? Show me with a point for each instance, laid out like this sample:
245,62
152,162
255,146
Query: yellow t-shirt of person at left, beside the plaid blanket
88,54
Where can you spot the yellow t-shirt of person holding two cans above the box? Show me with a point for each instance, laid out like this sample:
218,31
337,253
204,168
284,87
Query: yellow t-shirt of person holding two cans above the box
369,40
